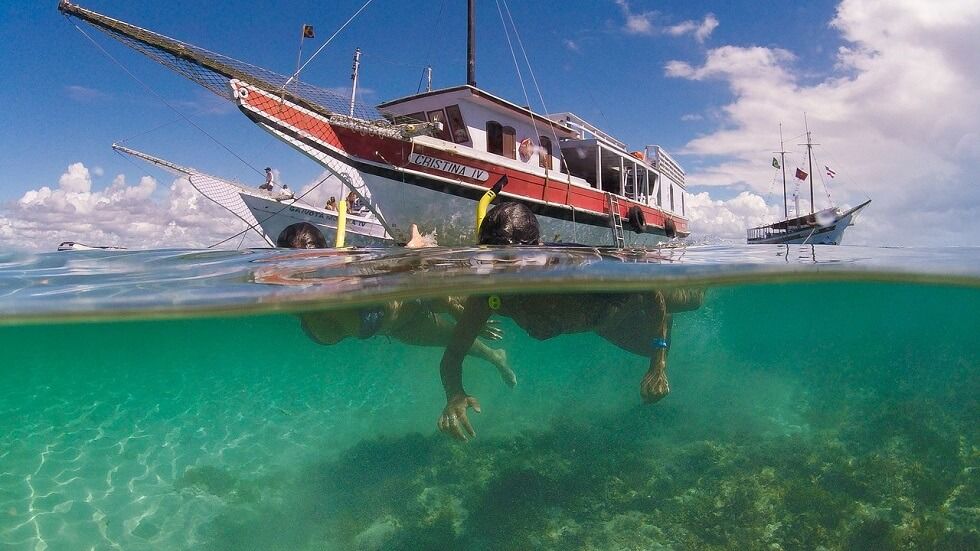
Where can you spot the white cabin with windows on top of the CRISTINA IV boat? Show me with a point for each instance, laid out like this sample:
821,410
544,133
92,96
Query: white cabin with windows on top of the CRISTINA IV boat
562,146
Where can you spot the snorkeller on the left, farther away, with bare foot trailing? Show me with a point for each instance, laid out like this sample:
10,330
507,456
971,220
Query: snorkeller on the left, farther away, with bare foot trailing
416,322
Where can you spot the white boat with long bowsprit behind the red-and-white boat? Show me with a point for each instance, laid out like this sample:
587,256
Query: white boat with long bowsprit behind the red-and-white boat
268,213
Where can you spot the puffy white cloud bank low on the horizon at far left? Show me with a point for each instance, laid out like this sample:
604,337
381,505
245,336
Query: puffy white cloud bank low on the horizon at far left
133,216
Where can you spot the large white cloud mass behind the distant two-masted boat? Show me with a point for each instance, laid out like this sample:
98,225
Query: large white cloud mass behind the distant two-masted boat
897,118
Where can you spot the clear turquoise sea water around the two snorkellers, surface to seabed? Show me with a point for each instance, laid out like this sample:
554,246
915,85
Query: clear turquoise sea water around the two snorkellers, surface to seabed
820,397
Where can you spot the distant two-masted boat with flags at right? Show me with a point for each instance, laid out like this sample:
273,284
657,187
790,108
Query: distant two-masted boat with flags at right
824,227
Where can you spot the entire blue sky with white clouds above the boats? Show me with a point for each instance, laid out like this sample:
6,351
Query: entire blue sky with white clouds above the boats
889,91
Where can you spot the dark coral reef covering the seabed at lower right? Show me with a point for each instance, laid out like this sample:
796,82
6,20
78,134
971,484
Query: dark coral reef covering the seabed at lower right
888,475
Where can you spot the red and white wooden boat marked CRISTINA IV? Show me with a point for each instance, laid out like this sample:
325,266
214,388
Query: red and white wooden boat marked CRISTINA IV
428,158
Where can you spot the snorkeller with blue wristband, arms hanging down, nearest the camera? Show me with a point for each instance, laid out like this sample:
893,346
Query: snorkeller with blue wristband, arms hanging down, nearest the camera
636,322
